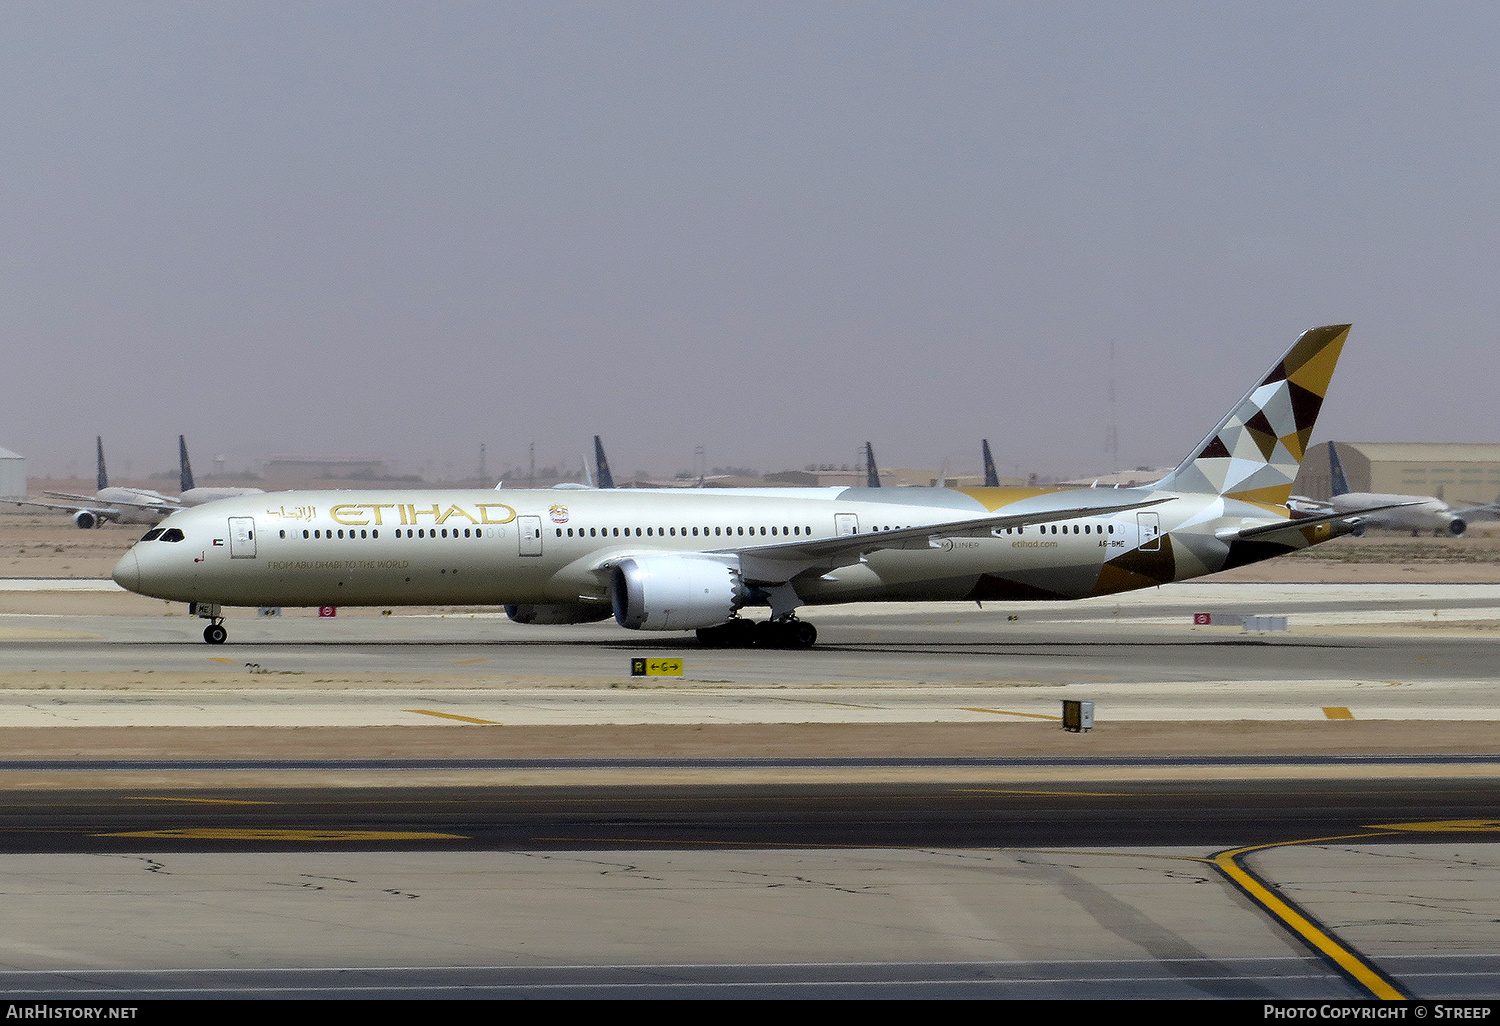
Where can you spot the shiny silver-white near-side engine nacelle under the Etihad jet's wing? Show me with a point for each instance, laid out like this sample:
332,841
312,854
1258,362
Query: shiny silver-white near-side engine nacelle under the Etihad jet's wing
674,593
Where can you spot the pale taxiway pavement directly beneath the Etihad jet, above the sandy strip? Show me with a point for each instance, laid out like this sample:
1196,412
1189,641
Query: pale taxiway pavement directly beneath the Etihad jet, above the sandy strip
1393,653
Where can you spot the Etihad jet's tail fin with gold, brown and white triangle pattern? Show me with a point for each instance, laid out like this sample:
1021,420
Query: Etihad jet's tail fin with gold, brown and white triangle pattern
1256,451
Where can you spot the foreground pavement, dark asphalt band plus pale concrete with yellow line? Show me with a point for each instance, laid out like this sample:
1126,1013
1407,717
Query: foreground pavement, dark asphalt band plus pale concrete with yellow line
1046,892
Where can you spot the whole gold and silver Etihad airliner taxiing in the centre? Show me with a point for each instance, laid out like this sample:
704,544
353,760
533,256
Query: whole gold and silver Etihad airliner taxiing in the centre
694,560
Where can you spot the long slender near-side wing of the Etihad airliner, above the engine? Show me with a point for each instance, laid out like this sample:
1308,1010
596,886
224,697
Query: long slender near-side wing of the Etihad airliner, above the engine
782,562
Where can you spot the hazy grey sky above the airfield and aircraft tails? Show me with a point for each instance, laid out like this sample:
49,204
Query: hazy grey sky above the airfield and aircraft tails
773,230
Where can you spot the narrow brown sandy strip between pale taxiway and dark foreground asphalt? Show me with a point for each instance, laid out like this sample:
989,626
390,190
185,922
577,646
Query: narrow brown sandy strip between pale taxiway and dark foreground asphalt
758,740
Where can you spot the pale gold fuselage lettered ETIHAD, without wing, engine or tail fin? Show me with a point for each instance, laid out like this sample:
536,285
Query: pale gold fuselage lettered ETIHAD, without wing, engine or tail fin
547,547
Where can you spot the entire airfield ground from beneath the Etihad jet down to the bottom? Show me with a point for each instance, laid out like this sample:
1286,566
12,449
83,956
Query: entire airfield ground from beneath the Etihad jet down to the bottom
784,877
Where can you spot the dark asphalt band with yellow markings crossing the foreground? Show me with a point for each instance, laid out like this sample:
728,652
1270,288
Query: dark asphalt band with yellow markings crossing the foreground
1216,814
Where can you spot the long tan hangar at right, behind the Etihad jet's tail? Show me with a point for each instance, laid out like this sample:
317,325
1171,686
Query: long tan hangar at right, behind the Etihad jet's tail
1453,472
